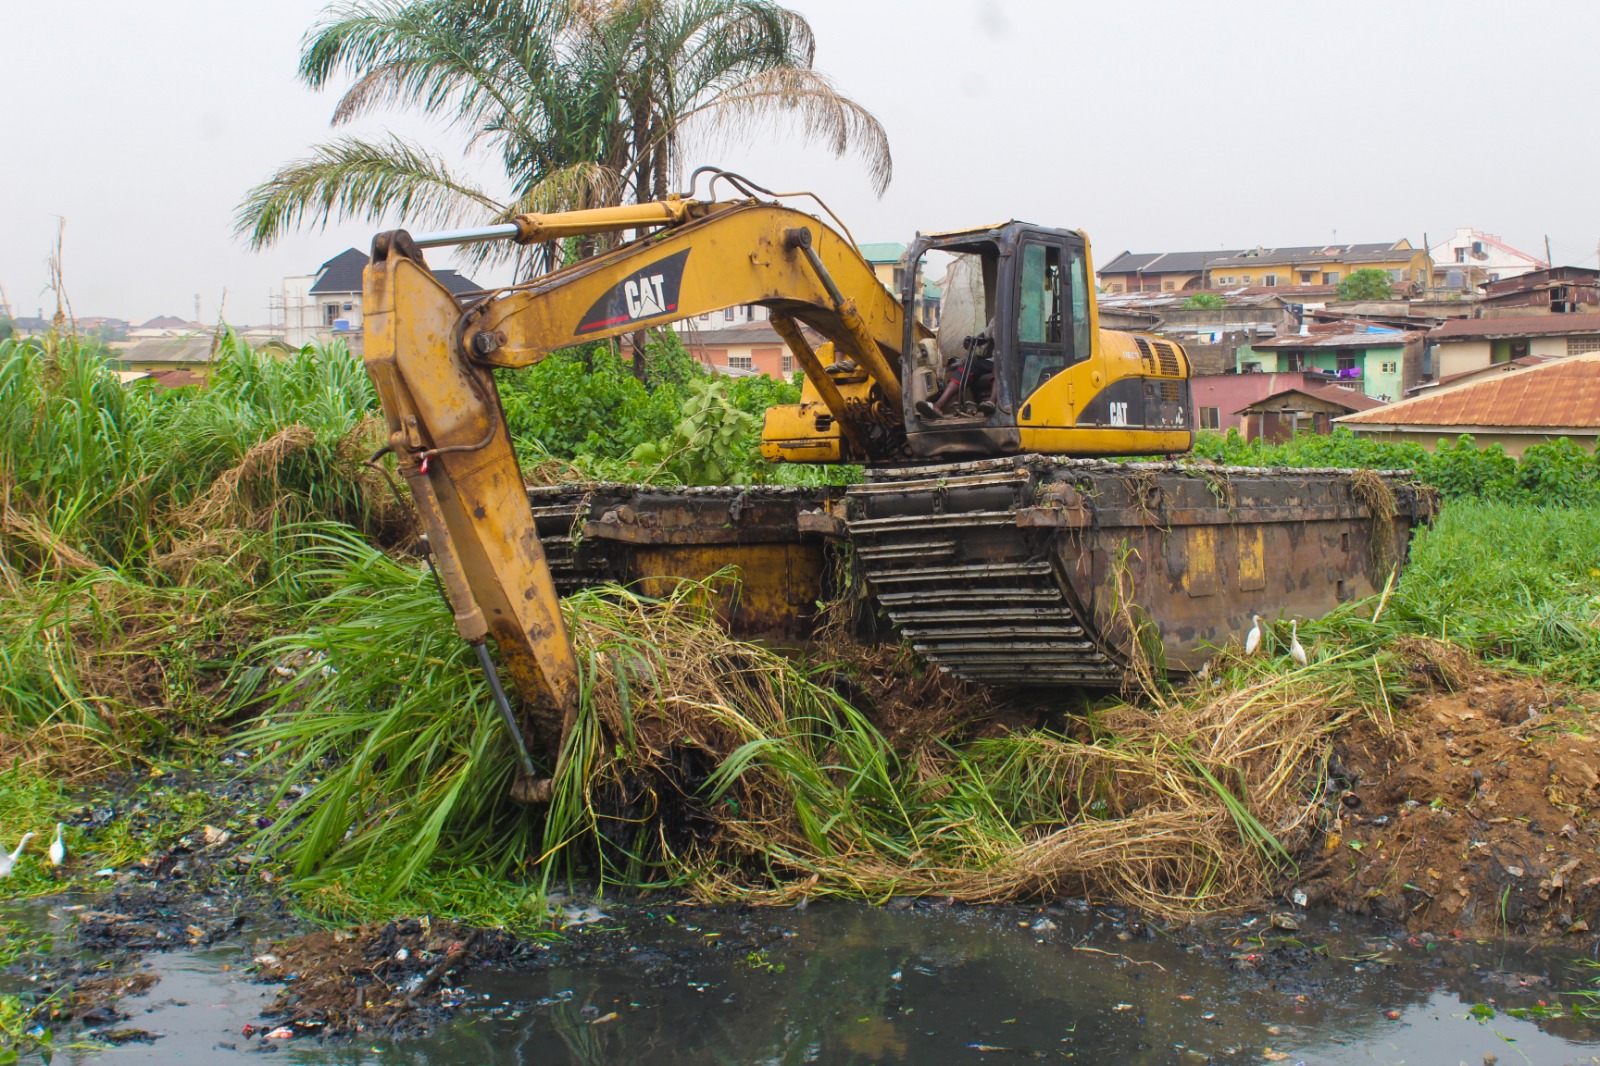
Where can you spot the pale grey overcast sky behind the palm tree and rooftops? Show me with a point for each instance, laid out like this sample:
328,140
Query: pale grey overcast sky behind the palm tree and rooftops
1151,126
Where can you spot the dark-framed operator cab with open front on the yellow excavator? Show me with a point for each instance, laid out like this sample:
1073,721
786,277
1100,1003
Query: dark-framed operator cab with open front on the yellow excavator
1010,310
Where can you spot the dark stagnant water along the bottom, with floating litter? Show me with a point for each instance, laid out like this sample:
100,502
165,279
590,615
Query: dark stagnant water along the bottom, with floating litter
874,985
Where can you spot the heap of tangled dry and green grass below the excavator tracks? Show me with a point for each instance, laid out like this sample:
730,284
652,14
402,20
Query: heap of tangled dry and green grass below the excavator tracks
748,783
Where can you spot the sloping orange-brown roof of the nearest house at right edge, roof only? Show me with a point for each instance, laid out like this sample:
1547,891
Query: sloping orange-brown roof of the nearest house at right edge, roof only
1559,395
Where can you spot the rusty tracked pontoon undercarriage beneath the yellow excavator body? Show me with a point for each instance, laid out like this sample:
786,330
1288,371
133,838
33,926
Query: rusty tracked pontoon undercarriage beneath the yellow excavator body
1025,571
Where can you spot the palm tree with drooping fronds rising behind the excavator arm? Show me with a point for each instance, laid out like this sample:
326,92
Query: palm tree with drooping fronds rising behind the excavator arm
585,103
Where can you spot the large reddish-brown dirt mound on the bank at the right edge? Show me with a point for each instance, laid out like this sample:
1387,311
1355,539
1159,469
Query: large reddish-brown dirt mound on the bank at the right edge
1476,817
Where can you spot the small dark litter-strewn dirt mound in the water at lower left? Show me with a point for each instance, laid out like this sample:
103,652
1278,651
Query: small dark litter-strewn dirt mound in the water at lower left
383,976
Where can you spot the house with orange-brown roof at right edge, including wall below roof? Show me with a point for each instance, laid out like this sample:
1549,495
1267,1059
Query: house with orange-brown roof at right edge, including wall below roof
1514,411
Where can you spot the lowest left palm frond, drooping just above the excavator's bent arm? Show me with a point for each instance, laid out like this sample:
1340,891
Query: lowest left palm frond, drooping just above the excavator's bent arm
359,180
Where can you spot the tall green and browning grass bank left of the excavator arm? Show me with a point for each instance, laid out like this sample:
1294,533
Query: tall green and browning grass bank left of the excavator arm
143,532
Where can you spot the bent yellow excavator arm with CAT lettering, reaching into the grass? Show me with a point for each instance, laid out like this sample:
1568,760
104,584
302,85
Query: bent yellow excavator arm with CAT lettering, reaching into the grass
433,364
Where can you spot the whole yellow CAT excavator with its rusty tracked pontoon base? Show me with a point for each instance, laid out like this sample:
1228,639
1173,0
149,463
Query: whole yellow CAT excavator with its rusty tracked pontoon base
990,526
